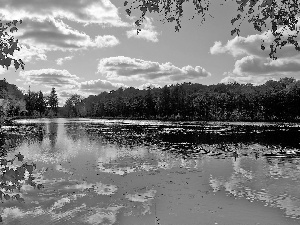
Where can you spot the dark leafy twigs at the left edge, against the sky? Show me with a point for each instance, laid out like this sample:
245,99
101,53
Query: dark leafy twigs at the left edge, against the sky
8,45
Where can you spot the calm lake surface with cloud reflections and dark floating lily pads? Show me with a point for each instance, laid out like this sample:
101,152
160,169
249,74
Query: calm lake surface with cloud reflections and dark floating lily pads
150,172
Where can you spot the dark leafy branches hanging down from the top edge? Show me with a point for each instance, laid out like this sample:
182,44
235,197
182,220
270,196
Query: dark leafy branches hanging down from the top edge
280,18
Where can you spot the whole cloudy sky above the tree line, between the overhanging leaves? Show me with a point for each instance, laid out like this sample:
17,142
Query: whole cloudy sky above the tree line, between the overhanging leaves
90,46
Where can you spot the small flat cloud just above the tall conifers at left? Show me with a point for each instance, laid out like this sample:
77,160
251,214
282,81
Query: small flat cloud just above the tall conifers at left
50,78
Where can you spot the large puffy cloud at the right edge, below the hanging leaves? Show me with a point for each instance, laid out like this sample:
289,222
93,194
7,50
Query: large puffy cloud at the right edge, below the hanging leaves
254,64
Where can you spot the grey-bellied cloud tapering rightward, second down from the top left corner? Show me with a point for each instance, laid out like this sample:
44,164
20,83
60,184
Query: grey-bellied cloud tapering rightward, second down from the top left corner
52,35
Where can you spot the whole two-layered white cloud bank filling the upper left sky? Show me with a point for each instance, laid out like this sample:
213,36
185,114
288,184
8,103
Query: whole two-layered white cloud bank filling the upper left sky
45,28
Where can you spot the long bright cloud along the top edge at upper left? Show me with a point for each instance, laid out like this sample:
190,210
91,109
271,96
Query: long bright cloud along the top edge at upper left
101,12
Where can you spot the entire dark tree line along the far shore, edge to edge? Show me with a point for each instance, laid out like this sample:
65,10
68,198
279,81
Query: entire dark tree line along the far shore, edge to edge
271,101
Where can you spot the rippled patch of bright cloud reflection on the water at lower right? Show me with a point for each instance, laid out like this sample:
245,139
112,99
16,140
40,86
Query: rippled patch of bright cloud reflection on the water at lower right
258,185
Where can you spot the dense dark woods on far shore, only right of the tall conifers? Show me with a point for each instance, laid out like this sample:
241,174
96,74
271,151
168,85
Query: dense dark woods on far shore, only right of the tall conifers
272,101
